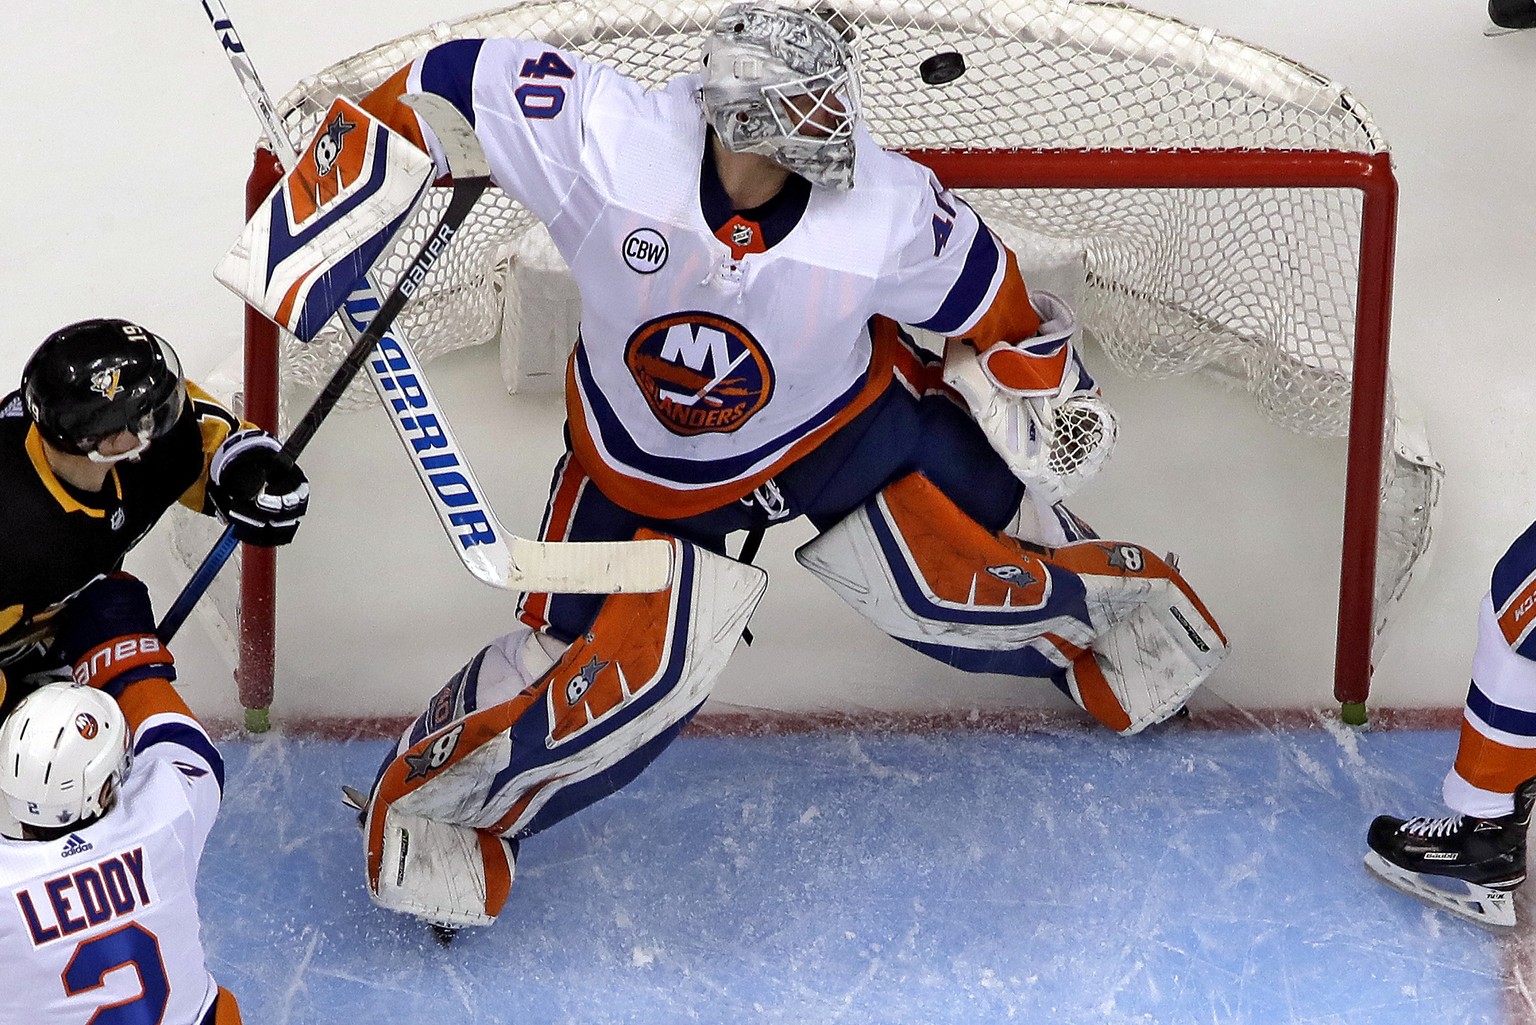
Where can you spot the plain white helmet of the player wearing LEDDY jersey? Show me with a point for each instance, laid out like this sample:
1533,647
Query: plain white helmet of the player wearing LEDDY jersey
64,755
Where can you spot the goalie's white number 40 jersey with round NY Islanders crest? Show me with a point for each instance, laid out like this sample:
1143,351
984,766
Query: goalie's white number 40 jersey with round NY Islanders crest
715,347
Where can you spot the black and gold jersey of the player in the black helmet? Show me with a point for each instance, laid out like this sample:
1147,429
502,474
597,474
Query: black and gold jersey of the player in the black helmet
58,539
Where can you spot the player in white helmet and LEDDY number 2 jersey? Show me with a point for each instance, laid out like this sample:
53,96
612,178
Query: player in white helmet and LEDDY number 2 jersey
114,801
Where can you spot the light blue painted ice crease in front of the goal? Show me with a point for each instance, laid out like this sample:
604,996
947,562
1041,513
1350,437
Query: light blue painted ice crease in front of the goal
936,878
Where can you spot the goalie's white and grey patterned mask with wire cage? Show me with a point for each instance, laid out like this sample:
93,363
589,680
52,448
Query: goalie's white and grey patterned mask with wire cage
784,84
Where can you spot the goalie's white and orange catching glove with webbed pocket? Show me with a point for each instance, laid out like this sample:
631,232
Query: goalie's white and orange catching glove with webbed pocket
1036,402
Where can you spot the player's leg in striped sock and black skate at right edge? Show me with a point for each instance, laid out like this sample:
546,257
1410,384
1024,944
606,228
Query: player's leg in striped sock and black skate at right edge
1472,861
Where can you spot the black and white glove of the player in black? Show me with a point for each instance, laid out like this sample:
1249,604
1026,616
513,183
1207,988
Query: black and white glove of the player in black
257,489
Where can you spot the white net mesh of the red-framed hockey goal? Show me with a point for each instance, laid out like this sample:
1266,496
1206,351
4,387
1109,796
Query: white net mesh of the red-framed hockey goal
1256,285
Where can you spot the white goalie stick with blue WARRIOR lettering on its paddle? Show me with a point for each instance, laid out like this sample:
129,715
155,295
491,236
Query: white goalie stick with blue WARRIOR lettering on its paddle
492,554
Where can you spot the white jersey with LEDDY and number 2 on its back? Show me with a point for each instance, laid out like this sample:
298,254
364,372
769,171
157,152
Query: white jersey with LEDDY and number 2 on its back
107,917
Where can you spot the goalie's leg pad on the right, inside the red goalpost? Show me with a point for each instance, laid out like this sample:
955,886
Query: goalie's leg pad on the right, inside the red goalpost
1122,628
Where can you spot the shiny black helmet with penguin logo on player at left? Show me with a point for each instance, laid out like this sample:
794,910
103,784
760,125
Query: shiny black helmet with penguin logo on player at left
94,379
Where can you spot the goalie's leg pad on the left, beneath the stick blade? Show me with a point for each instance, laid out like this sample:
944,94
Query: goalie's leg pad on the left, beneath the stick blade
520,740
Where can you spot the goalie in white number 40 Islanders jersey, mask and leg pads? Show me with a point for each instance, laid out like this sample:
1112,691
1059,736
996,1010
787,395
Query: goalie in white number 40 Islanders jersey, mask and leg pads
747,256
